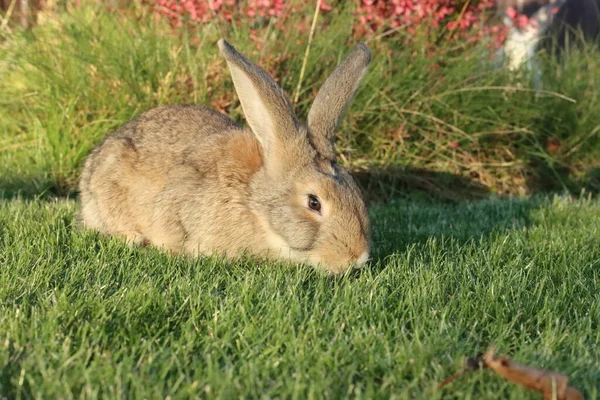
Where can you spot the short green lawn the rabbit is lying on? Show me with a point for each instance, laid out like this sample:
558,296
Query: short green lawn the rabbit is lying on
85,317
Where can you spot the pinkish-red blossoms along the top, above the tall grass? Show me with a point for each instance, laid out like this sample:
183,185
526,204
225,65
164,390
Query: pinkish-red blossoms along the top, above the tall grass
461,19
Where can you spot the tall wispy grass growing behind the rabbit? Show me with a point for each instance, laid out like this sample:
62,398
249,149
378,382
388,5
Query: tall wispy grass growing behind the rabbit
69,81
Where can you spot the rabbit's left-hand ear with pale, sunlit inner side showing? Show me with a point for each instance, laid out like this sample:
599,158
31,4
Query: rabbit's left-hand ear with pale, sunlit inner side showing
266,106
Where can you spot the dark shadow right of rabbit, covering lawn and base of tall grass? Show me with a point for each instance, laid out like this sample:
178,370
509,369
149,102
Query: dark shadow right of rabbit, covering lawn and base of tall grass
411,207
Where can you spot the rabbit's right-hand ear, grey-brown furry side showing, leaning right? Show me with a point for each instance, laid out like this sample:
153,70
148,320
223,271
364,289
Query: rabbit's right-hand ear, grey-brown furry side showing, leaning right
333,99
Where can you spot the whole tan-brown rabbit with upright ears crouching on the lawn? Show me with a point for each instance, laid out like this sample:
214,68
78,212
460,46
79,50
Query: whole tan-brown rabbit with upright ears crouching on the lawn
191,180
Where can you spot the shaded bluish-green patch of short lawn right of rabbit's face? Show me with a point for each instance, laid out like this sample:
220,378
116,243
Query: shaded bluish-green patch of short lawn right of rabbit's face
409,225
